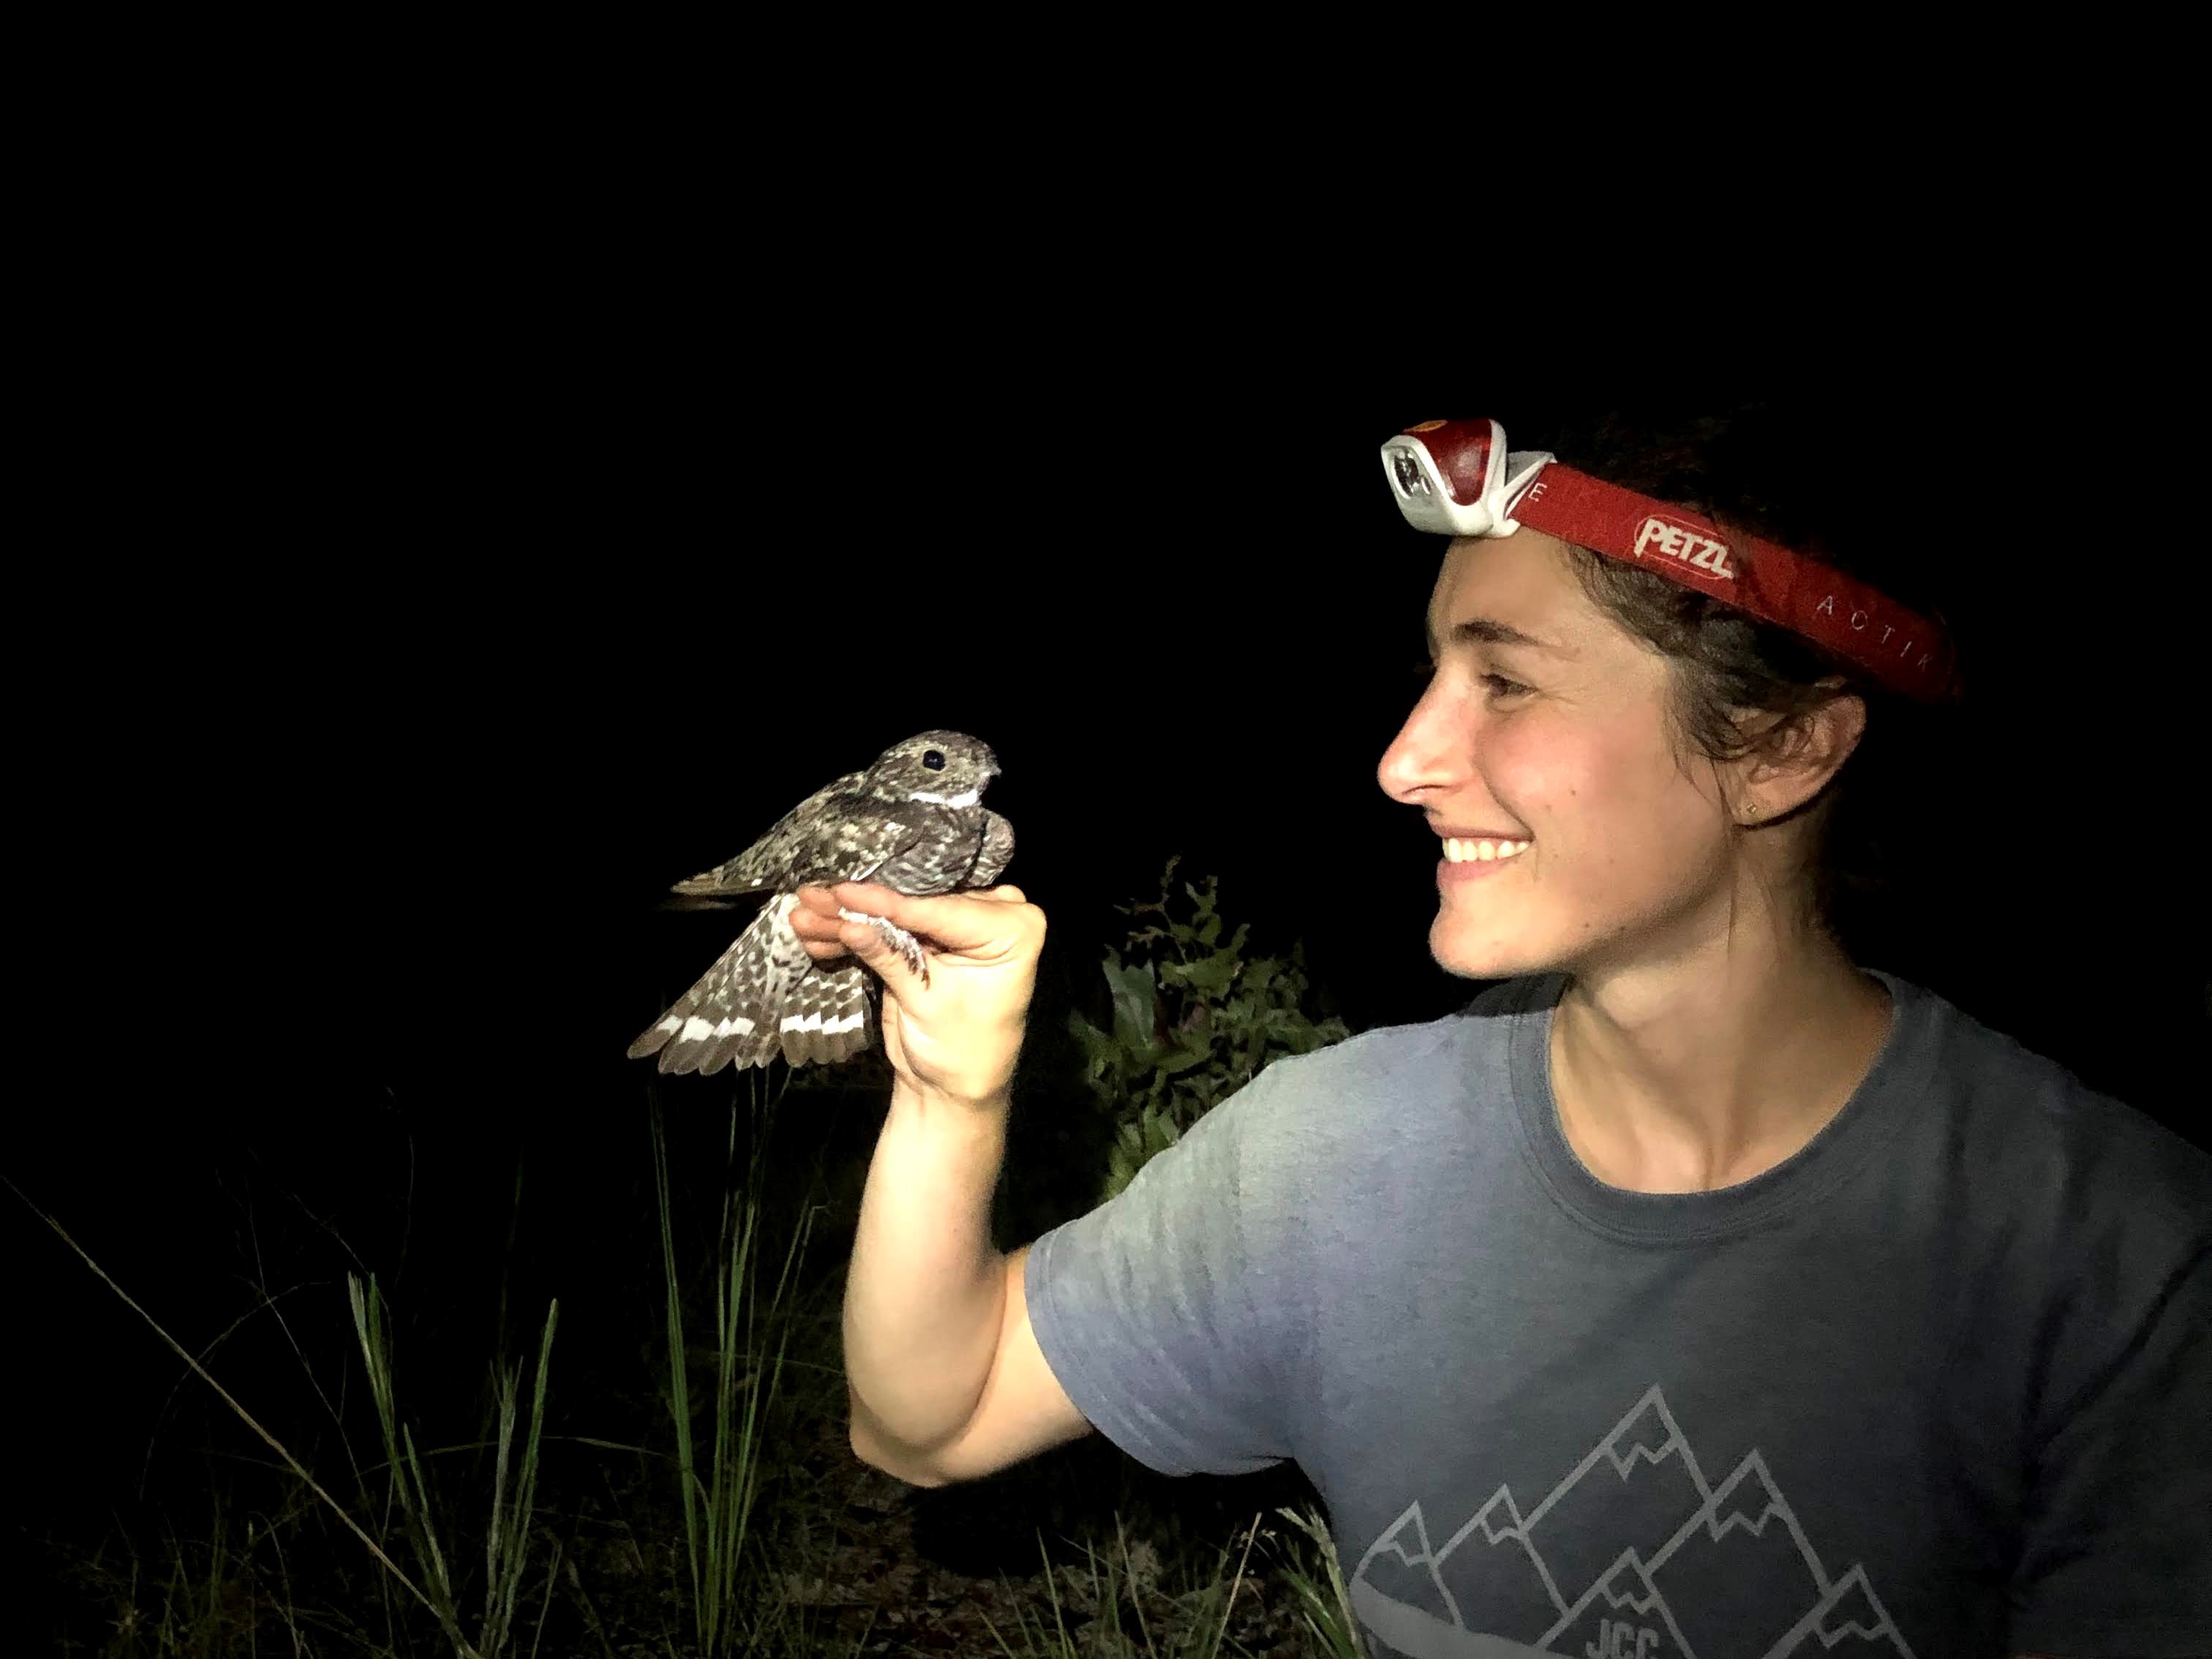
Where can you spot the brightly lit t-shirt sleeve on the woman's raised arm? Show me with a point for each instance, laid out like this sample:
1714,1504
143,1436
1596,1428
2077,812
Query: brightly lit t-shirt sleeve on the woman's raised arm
1171,1313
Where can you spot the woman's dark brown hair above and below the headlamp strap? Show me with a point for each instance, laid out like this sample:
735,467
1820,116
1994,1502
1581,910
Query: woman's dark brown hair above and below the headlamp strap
1802,479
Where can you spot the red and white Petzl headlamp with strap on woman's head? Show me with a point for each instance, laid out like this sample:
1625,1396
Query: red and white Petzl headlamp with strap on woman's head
1459,479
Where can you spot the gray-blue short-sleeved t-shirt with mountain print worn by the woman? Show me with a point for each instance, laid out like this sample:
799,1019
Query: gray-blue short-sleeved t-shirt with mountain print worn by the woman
1937,1386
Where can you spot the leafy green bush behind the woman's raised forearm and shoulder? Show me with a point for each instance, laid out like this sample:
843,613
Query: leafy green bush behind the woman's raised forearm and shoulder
1193,1023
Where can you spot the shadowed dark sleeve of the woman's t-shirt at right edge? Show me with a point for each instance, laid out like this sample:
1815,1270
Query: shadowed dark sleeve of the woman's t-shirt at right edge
2118,1530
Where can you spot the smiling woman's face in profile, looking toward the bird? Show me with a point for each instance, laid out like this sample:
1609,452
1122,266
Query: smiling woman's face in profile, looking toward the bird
1561,744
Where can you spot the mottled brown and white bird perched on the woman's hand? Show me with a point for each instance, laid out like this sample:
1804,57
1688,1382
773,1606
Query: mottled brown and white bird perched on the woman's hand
912,822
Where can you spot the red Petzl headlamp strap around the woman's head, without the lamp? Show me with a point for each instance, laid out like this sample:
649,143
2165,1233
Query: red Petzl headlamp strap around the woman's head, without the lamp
1775,585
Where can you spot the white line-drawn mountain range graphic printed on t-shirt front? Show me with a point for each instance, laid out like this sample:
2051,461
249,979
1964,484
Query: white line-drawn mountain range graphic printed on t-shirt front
1631,1556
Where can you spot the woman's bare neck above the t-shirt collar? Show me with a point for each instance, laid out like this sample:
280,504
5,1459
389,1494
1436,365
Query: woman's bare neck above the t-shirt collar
1702,1076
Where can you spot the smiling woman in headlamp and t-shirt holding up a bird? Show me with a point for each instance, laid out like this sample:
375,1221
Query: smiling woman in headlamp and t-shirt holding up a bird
1695,1291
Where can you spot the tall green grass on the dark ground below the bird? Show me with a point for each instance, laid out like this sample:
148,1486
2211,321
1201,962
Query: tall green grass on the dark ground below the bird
740,1525
